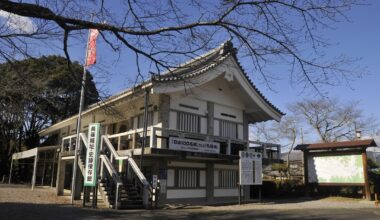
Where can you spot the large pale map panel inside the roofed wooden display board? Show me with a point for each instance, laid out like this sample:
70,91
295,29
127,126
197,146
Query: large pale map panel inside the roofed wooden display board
336,169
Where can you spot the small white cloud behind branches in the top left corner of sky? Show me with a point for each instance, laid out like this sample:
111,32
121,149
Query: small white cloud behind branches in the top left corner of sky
17,23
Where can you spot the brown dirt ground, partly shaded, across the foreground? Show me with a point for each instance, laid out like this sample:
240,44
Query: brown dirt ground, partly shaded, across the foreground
20,202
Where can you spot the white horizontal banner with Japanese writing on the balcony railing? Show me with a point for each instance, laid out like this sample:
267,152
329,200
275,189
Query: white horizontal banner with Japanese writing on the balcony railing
183,144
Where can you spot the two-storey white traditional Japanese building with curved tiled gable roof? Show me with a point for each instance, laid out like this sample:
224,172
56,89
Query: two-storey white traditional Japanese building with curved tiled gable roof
198,117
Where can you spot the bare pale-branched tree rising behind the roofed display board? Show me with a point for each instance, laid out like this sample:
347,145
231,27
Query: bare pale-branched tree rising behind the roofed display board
333,120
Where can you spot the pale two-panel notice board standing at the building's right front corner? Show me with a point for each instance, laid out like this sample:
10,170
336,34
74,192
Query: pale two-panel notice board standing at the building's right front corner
250,168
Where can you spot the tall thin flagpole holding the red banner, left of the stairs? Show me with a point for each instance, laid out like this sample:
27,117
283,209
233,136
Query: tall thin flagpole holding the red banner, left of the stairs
81,103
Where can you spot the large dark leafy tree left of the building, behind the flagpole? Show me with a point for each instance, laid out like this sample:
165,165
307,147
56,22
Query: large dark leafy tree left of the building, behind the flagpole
34,94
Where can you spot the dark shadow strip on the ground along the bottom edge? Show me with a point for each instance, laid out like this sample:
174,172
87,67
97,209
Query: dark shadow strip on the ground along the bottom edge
57,212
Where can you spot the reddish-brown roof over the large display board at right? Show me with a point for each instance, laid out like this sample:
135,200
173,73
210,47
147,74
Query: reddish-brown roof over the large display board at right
336,145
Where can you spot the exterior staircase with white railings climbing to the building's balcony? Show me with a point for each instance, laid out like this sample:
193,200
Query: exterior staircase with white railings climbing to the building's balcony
117,190
